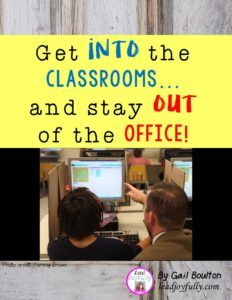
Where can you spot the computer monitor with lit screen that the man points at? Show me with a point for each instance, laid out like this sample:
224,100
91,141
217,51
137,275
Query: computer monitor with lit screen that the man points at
103,176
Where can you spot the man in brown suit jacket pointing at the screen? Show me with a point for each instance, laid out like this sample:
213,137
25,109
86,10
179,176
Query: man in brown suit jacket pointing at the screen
165,210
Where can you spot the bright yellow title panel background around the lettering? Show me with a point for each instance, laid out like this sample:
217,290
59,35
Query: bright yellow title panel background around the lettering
207,74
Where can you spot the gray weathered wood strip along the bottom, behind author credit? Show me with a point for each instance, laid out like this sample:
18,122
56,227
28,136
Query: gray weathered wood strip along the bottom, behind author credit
116,280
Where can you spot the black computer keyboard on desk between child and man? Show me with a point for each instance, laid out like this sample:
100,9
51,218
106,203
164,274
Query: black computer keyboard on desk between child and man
129,237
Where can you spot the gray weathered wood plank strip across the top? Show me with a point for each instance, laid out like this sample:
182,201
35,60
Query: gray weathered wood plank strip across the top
115,17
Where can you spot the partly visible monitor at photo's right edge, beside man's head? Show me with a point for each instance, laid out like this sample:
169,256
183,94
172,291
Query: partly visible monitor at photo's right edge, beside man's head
185,164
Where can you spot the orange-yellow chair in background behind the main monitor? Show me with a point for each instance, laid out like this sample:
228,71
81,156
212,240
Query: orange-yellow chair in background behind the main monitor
138,175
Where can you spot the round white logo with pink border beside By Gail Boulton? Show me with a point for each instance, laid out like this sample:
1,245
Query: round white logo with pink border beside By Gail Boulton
139,281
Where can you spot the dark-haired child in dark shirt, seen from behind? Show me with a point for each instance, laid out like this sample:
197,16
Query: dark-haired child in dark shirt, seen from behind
80,214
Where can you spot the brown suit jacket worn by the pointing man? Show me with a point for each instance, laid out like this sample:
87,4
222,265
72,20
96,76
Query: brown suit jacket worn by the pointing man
172,245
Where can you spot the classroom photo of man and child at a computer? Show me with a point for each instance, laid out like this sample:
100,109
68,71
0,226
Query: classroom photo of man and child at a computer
140,197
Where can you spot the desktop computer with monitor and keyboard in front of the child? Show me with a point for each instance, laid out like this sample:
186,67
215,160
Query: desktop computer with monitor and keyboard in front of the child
105,177
